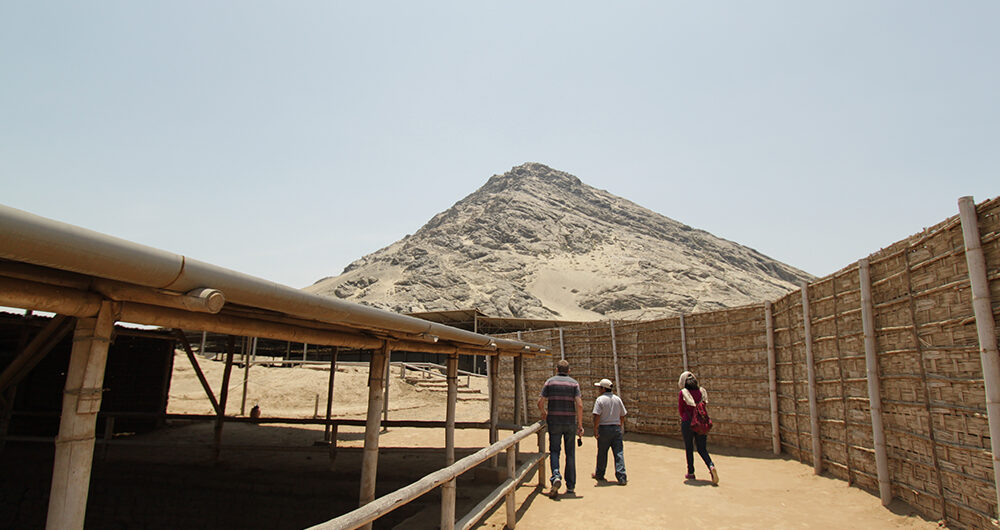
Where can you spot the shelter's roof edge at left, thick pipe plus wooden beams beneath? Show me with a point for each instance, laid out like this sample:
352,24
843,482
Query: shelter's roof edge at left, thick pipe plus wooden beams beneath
58,267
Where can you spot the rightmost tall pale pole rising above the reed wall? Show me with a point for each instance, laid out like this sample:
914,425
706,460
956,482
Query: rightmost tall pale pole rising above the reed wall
982,308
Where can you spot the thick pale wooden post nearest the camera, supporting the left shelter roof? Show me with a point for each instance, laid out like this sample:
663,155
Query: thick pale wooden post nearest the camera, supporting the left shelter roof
74,452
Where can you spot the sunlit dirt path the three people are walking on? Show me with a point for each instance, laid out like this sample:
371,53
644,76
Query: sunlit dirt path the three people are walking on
754,492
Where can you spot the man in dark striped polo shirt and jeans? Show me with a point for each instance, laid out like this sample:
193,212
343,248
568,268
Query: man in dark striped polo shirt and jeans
561,406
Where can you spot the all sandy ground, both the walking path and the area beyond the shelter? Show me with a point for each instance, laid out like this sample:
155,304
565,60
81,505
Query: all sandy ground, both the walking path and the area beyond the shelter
755,490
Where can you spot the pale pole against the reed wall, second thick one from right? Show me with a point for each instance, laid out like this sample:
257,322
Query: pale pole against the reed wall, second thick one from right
874,392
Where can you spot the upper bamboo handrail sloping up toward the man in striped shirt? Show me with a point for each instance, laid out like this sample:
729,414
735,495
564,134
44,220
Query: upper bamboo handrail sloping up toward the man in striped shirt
404,495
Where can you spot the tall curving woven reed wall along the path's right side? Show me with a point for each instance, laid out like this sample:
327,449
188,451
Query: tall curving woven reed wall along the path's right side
931,381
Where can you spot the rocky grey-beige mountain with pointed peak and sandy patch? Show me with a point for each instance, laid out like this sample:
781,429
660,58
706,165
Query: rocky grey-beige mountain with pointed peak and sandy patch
539,243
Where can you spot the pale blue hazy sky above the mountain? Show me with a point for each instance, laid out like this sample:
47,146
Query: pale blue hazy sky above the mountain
287,139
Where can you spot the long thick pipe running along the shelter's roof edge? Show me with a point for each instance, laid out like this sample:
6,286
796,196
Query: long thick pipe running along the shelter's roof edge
29,238
